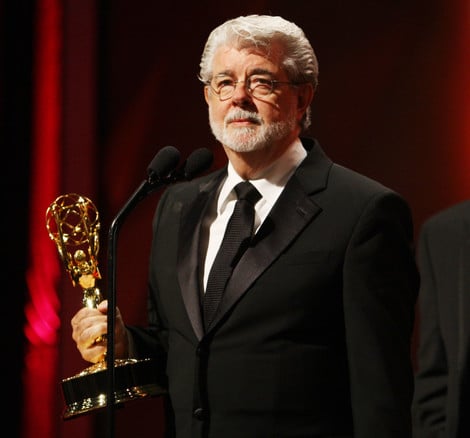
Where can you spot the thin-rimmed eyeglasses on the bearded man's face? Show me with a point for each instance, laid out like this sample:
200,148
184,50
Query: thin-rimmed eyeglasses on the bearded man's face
256,86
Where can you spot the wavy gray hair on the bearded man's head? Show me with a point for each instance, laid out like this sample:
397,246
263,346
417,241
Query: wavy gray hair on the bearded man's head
299,60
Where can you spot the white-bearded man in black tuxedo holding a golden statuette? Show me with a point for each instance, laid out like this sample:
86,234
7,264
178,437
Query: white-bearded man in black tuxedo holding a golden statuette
312,334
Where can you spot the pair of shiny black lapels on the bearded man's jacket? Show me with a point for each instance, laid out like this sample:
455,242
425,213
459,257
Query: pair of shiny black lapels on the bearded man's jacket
293,211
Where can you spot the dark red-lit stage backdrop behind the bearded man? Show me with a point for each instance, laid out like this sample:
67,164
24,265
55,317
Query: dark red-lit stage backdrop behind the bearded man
393,103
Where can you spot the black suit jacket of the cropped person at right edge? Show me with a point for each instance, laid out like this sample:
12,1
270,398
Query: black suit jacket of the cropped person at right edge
442,399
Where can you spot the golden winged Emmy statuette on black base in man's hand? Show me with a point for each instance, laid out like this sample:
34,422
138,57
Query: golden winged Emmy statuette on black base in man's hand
72,222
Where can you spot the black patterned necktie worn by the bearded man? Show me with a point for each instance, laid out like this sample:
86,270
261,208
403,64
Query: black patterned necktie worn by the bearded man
236,239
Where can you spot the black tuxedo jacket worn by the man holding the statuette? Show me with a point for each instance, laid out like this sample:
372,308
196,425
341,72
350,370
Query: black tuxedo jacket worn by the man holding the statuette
313,335
